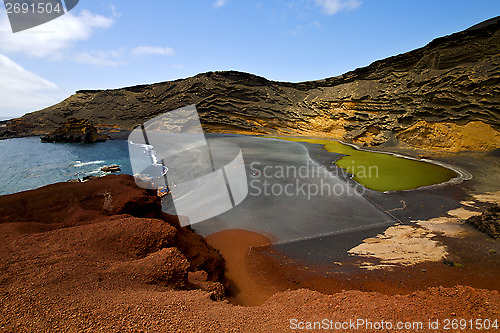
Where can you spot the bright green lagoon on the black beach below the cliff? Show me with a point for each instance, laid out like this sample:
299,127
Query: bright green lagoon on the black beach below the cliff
383,172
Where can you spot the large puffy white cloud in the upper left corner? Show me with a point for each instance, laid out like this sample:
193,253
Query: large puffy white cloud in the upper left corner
49,39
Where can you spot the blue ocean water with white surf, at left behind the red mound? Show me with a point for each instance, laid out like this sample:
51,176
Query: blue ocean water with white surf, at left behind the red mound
27,163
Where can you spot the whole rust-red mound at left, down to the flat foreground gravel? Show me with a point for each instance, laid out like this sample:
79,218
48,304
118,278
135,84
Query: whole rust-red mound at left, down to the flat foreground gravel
106,229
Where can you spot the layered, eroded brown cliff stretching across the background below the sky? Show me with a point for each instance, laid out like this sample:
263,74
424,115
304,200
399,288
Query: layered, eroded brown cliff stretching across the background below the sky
415,97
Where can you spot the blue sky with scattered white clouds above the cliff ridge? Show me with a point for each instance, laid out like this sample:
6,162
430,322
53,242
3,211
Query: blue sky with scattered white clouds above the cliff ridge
105,44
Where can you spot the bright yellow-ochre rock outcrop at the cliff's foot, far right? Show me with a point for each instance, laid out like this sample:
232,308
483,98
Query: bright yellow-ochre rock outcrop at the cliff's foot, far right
475,135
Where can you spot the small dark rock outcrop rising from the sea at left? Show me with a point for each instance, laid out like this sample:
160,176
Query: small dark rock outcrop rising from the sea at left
75,130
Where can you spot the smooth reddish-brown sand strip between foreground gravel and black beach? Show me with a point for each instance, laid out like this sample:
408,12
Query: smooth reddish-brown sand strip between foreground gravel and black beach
257,271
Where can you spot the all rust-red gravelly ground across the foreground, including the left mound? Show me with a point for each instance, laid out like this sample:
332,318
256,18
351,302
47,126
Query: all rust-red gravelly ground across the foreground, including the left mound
101,256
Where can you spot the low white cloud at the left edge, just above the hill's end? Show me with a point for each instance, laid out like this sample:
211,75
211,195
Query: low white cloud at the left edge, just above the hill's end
22,91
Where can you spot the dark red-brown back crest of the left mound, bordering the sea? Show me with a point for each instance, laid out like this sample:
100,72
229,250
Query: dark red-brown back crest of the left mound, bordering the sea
71,204
